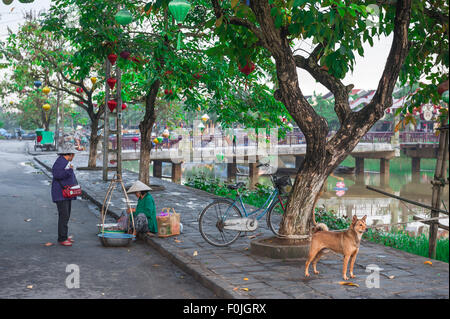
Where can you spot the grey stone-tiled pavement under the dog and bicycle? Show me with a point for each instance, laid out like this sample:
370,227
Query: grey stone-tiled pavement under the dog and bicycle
233,272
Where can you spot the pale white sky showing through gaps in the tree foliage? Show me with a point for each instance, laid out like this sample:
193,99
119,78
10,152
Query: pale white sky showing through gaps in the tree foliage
367,71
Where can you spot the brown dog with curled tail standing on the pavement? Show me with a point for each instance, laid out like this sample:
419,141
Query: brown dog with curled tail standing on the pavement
345,242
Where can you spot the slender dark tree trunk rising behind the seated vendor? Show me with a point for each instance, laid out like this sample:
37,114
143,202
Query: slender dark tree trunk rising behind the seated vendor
145,127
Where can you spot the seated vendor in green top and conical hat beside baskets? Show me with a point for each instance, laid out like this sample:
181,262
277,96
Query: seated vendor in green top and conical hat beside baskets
145,213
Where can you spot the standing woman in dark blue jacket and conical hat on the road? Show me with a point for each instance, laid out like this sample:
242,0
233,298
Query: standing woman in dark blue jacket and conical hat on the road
63,175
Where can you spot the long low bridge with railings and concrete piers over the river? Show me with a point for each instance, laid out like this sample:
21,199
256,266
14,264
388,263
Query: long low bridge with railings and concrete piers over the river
220,149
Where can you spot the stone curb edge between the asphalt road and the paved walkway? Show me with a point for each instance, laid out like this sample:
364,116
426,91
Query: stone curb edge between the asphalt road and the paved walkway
209,281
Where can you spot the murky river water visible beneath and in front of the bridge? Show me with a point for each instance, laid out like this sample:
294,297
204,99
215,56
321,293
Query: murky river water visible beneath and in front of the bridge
356,199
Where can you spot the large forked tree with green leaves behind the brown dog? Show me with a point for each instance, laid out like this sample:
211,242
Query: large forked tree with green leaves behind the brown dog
338,29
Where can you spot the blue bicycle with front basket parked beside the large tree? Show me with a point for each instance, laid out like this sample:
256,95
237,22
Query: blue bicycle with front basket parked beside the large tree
222,221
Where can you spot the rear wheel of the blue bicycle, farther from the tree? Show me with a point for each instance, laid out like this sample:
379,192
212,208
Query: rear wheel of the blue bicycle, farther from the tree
211,223
